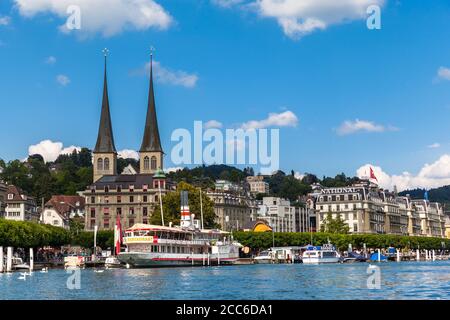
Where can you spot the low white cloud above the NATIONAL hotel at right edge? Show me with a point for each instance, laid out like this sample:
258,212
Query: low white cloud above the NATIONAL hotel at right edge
432,175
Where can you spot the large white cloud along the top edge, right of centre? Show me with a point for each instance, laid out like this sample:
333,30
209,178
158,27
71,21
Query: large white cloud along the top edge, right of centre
299,18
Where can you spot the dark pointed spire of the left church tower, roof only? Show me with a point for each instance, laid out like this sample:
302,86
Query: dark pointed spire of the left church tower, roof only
105,139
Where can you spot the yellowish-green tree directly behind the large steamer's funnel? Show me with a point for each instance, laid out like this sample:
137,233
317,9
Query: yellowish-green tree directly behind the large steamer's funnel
171,207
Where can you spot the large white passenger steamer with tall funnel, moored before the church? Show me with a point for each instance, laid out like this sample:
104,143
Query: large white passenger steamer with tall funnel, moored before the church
184,245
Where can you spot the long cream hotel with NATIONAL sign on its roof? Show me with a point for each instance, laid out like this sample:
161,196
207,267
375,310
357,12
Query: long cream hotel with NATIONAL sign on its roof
366,208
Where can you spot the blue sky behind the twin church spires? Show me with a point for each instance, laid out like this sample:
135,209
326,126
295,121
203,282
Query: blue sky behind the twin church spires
235,63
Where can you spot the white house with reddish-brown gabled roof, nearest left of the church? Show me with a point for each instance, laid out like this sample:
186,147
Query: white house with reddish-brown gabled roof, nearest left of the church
60,209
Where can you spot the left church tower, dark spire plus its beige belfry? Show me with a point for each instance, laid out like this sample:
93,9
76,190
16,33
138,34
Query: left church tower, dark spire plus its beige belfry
105,154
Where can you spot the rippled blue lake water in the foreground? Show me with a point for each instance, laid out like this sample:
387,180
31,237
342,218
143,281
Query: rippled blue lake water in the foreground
404,280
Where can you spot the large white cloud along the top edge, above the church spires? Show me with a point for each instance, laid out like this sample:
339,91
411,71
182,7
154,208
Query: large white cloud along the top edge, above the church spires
107,17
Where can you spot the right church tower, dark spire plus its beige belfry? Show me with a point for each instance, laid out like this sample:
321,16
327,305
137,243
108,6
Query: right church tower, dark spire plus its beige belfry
151,153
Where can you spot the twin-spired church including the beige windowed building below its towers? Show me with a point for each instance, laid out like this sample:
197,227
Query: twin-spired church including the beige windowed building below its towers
132,197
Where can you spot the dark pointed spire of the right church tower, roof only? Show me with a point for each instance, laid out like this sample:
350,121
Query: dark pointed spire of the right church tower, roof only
151,141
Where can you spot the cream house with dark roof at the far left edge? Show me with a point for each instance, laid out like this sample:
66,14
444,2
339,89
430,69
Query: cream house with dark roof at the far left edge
20,206
